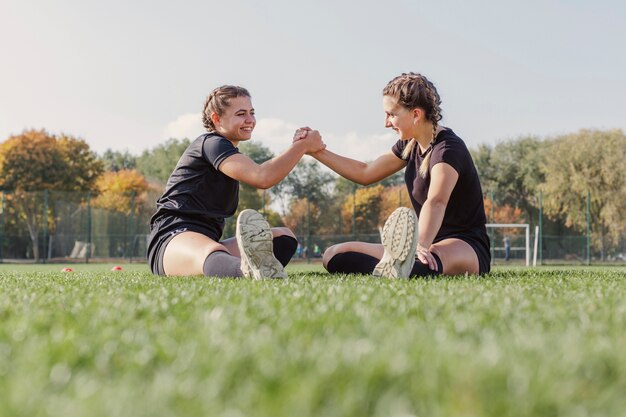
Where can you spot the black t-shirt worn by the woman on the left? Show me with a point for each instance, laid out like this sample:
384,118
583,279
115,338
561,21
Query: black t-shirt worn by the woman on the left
196,188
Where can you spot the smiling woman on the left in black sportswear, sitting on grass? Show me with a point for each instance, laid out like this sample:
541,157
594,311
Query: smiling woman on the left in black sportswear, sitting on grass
203,190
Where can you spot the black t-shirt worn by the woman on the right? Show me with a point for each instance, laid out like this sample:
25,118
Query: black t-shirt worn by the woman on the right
465,212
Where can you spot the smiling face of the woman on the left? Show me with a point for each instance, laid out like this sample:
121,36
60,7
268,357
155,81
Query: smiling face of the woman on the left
238,120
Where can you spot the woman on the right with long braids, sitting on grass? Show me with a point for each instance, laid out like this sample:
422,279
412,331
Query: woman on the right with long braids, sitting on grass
450,236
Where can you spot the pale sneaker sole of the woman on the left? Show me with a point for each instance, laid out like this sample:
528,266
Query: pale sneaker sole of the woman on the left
255,241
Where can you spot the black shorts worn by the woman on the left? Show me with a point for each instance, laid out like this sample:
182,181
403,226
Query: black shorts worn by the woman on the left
165,228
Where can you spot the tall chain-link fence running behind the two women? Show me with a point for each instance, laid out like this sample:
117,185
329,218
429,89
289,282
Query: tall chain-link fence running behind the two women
50,226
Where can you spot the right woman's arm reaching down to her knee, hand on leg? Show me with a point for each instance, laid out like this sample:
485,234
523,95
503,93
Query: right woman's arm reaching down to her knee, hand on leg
443,178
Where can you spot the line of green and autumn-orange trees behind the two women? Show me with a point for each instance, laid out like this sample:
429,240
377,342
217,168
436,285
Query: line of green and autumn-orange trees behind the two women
575,181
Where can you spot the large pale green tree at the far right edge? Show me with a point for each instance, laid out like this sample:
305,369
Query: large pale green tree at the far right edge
590,161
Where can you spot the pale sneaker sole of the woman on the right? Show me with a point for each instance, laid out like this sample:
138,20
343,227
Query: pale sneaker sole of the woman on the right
399,238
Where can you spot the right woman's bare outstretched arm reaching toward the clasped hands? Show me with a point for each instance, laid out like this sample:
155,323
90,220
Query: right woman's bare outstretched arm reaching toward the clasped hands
361,172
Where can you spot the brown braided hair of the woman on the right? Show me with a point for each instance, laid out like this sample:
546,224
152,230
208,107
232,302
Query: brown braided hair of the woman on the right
413,90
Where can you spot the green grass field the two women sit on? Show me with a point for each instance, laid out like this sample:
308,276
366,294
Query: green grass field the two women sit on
518,342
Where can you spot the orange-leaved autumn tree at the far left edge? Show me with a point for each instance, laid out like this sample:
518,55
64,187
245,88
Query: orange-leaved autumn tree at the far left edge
35,161
